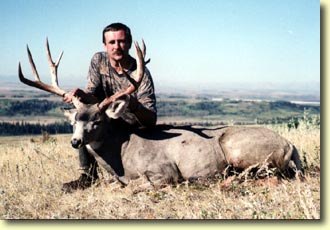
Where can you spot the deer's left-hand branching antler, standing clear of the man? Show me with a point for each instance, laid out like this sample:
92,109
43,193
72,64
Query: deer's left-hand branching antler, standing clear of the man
54,88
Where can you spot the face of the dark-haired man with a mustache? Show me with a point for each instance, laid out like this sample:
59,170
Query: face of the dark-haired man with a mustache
116,45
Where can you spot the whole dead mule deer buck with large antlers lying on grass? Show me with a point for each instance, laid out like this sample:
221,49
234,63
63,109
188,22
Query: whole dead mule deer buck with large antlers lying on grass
165,153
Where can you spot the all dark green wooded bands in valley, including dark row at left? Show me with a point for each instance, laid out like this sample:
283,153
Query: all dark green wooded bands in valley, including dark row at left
256,112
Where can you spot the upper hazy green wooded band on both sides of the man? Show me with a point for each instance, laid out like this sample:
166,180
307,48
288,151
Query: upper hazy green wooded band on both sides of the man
179,107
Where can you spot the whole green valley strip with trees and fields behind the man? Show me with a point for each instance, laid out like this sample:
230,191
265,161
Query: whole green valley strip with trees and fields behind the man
32,115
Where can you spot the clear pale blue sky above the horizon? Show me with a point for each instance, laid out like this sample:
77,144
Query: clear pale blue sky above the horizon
189,42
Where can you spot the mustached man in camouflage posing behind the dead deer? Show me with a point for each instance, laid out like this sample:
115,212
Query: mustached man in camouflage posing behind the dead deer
105,79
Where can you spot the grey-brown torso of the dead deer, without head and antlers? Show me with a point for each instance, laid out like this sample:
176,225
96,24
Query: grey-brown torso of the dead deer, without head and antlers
175,153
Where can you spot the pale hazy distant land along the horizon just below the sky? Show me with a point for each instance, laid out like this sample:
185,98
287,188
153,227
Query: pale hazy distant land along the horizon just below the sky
290,91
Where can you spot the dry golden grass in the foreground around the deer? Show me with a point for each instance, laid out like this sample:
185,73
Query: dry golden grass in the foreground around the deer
32,172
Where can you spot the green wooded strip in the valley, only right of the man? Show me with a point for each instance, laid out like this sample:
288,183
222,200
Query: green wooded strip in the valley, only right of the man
236,108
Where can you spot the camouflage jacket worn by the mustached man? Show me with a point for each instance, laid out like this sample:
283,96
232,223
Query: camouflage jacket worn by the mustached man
104,81
